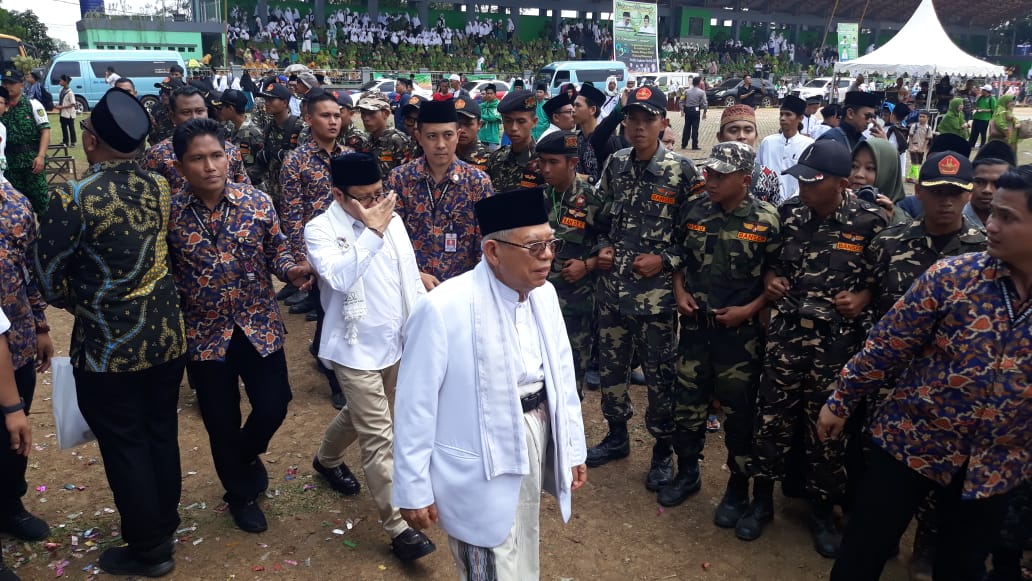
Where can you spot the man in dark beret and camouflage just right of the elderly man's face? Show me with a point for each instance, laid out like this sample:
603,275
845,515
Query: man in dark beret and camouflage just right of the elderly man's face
573,208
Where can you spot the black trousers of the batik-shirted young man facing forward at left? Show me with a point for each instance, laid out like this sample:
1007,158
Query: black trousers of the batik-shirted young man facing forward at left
235,448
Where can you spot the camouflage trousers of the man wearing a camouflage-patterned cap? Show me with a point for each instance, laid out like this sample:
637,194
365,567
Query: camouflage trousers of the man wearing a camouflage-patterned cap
719,364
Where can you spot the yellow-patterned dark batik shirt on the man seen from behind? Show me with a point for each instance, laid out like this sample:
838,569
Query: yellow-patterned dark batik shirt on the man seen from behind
103,255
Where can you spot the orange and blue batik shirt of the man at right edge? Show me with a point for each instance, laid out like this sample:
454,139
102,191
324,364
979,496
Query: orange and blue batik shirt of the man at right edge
957,350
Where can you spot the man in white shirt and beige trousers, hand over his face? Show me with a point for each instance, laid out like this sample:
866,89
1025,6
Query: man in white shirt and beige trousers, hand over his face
369,283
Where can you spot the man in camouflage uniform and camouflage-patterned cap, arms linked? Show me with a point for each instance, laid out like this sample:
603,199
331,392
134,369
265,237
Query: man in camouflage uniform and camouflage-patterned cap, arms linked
731,239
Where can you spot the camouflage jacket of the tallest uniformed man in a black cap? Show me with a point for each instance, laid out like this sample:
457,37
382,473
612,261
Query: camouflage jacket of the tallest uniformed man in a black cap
641,203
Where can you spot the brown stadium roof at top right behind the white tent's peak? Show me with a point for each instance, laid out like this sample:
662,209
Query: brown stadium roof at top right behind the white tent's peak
952,13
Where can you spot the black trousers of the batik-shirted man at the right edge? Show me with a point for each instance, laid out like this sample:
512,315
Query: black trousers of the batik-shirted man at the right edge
889,497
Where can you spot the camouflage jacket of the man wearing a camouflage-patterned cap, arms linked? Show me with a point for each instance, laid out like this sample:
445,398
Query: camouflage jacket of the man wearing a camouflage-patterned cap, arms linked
728,253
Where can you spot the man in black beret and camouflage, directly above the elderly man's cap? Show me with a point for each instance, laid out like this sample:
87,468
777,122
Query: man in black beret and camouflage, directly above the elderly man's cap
513,167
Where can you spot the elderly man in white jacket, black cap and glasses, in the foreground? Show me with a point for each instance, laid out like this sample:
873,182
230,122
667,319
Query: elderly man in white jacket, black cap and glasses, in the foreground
488,413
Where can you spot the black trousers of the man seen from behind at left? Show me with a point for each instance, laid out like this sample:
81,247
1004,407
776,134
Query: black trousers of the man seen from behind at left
135,417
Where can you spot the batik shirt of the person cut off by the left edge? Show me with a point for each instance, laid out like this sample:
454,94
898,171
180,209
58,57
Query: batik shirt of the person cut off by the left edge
20,298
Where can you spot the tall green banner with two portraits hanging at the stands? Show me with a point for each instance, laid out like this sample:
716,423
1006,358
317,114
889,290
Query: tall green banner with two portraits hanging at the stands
635,36
